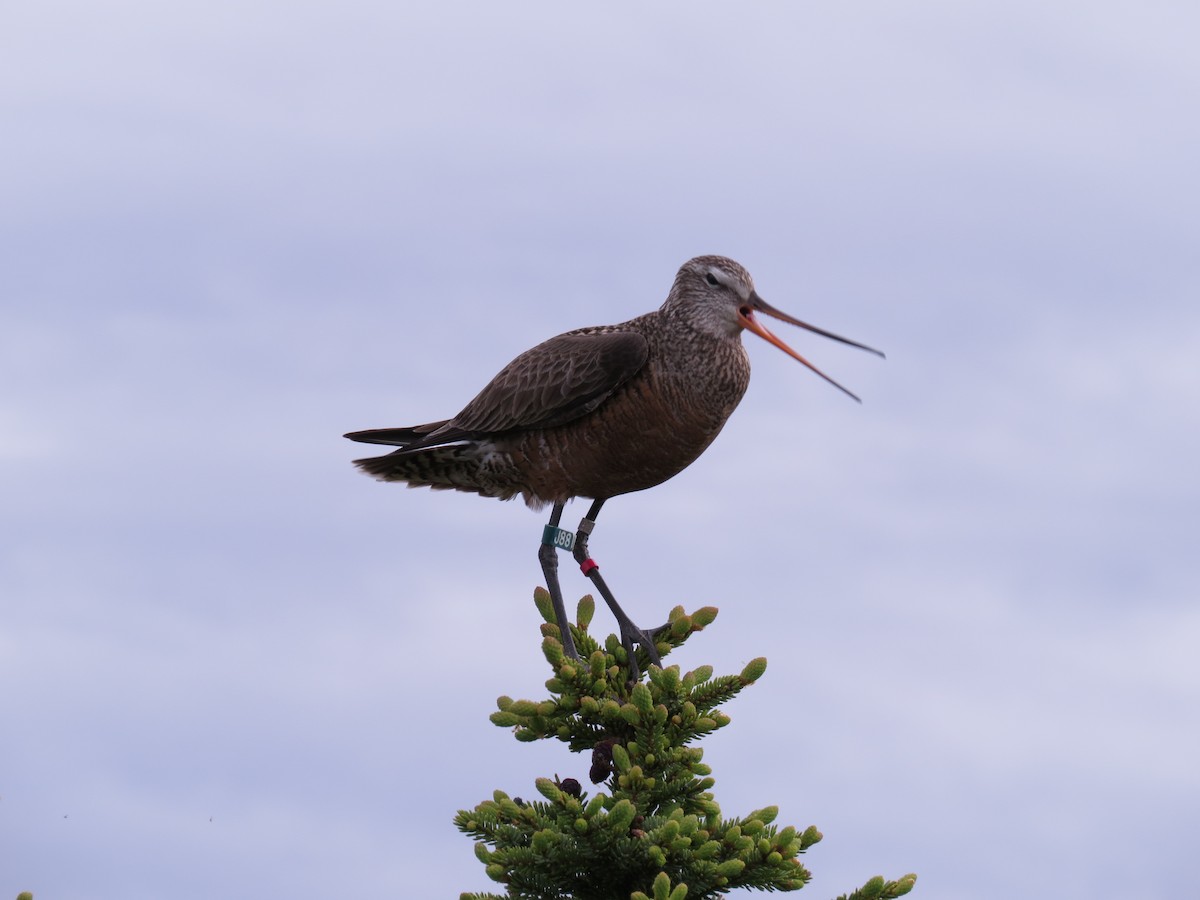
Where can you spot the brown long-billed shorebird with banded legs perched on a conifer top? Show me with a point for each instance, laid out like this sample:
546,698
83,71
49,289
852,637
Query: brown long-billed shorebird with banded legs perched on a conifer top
599,412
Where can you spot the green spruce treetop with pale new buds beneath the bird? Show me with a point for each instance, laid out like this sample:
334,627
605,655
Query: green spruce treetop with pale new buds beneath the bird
653,831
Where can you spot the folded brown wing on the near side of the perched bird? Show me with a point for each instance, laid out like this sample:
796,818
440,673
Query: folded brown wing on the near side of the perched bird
554,383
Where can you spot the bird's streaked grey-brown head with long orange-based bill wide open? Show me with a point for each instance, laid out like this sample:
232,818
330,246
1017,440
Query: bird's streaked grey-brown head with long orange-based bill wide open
717,296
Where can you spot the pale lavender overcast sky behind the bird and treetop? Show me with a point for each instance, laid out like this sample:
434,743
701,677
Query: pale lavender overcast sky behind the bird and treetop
231,667
